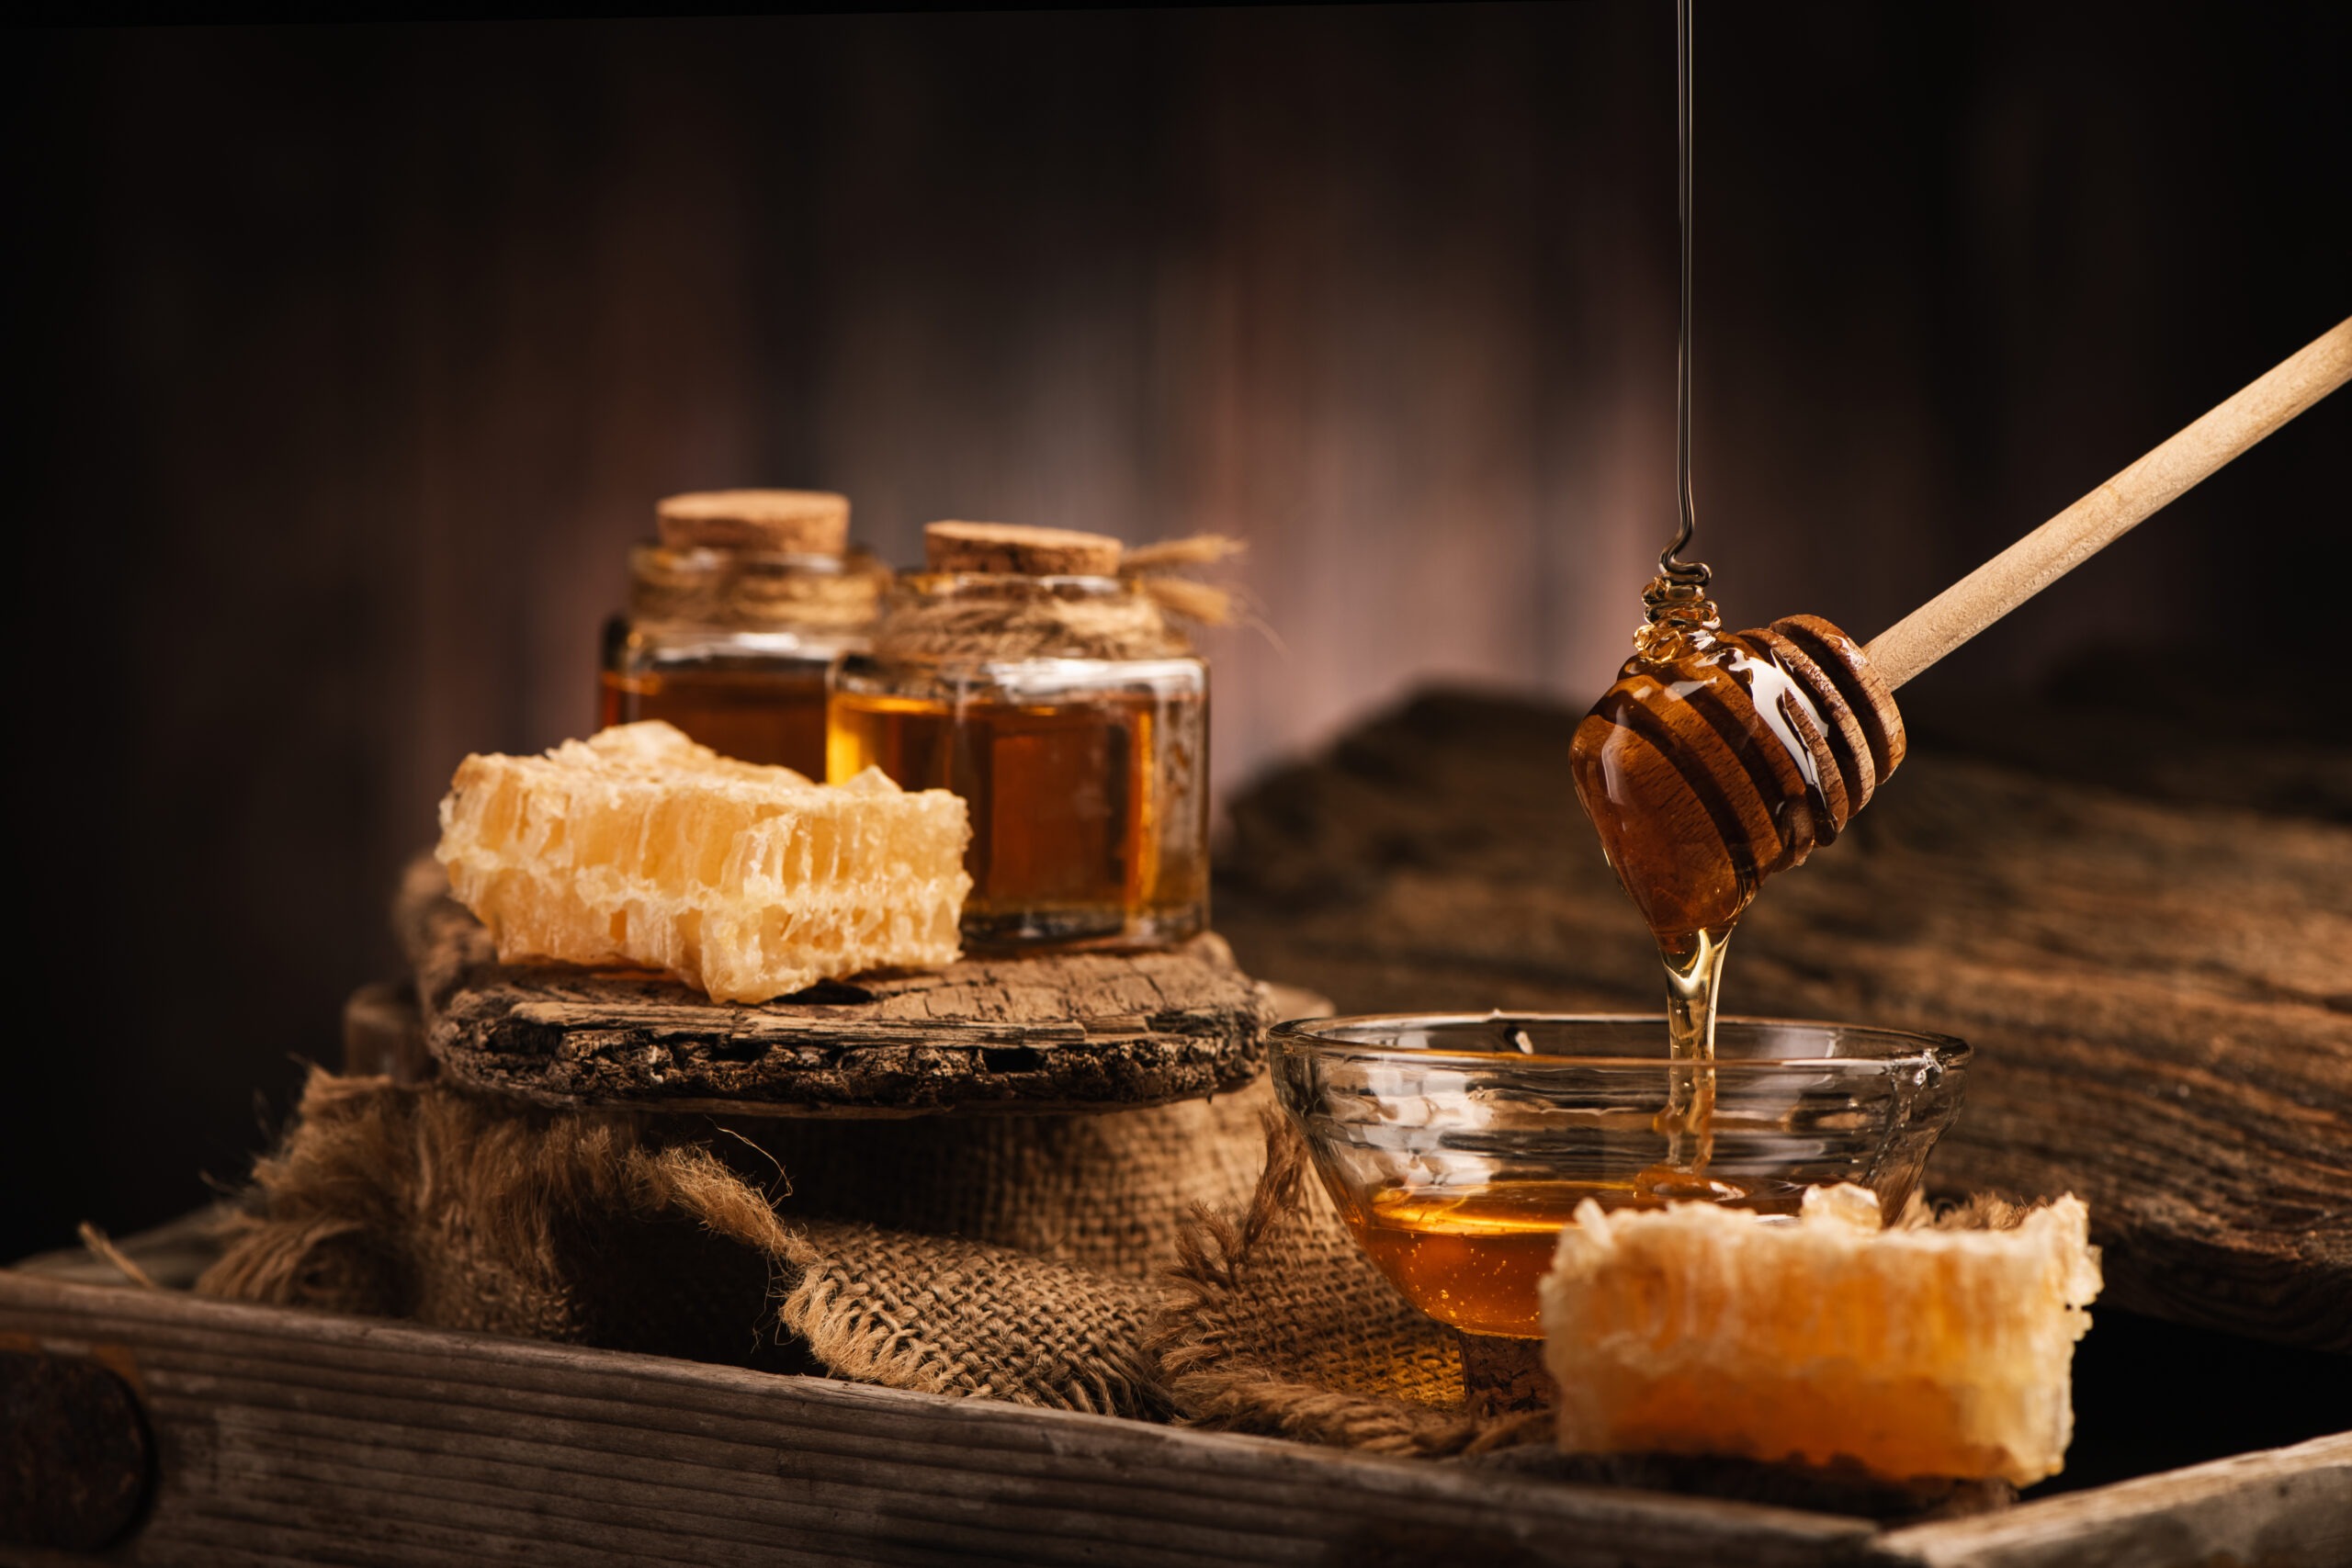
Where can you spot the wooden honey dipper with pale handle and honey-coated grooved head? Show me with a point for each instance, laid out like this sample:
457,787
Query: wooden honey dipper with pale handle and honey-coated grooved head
1725,758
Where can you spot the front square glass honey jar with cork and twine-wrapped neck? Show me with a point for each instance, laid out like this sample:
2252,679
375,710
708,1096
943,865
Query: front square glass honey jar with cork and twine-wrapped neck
1029,676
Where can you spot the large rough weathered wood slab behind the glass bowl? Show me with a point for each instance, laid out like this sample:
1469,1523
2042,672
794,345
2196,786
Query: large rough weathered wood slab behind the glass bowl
2160,996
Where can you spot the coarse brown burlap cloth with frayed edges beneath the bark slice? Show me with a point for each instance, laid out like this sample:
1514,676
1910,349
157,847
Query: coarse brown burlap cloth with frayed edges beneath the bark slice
1165,1264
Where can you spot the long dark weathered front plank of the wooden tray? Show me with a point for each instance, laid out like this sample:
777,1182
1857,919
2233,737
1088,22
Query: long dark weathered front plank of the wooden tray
295,1438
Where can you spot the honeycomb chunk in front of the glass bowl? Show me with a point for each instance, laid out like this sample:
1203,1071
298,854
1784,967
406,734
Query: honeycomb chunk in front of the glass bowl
1911,1353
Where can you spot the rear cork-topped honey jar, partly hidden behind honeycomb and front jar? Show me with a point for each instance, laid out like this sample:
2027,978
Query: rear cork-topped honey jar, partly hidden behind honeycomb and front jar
735,617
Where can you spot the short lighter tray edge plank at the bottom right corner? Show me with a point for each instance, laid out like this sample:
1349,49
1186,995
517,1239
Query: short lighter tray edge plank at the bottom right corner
2290,1508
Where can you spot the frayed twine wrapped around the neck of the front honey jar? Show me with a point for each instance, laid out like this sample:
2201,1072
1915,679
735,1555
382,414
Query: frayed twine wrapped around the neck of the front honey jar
1008,617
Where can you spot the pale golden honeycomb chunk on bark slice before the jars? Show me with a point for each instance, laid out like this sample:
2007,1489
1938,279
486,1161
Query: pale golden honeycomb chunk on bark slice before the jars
744,880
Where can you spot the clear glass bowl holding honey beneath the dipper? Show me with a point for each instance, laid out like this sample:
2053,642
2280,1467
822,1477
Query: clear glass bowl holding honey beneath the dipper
1459,1144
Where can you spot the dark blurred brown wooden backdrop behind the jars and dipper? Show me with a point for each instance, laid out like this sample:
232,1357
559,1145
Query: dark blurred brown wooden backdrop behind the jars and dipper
347,363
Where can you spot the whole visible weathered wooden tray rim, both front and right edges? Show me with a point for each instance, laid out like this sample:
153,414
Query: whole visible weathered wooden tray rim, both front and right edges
178,1430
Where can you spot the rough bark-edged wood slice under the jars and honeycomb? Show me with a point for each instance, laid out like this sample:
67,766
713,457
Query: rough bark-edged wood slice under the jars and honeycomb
1085,1031
